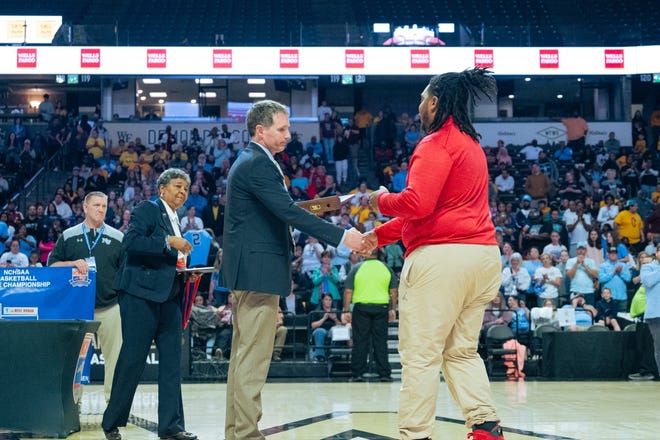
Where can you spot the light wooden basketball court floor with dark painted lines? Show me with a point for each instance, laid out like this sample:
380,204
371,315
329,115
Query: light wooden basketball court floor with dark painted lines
343,410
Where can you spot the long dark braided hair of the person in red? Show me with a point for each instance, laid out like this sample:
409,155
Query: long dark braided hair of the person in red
456,92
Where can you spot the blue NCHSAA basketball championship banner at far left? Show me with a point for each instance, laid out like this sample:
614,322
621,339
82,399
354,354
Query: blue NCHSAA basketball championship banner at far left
47,293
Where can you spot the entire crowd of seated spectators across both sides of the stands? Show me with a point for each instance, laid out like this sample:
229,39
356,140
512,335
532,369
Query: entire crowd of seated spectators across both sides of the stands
570,220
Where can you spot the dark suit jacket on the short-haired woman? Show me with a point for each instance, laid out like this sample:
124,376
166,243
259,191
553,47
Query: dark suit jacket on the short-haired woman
148,268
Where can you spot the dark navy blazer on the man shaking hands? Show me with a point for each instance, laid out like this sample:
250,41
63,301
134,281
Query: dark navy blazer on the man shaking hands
257,243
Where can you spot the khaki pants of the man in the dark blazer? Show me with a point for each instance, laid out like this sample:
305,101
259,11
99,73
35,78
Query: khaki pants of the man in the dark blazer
255,320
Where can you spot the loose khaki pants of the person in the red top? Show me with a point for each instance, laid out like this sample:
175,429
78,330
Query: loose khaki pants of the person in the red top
443,293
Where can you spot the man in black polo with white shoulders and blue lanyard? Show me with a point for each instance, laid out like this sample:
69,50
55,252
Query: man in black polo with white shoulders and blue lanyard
93,245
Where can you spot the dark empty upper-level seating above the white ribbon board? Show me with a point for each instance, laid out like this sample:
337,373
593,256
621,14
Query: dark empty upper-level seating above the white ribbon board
326,22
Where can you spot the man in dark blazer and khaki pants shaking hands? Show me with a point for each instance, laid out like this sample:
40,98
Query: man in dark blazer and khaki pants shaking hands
256,264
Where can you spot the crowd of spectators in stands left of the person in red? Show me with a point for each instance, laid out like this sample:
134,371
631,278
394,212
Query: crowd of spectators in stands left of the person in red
127,173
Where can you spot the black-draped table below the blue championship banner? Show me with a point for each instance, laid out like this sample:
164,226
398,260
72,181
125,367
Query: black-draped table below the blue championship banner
39,360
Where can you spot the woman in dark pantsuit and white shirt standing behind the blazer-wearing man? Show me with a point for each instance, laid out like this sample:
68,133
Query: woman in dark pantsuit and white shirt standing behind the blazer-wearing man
150,292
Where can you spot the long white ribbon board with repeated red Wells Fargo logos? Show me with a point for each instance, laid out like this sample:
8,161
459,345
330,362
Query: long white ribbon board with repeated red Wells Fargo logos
302,61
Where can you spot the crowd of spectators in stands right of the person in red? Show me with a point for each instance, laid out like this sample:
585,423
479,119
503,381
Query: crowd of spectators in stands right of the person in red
575,224
